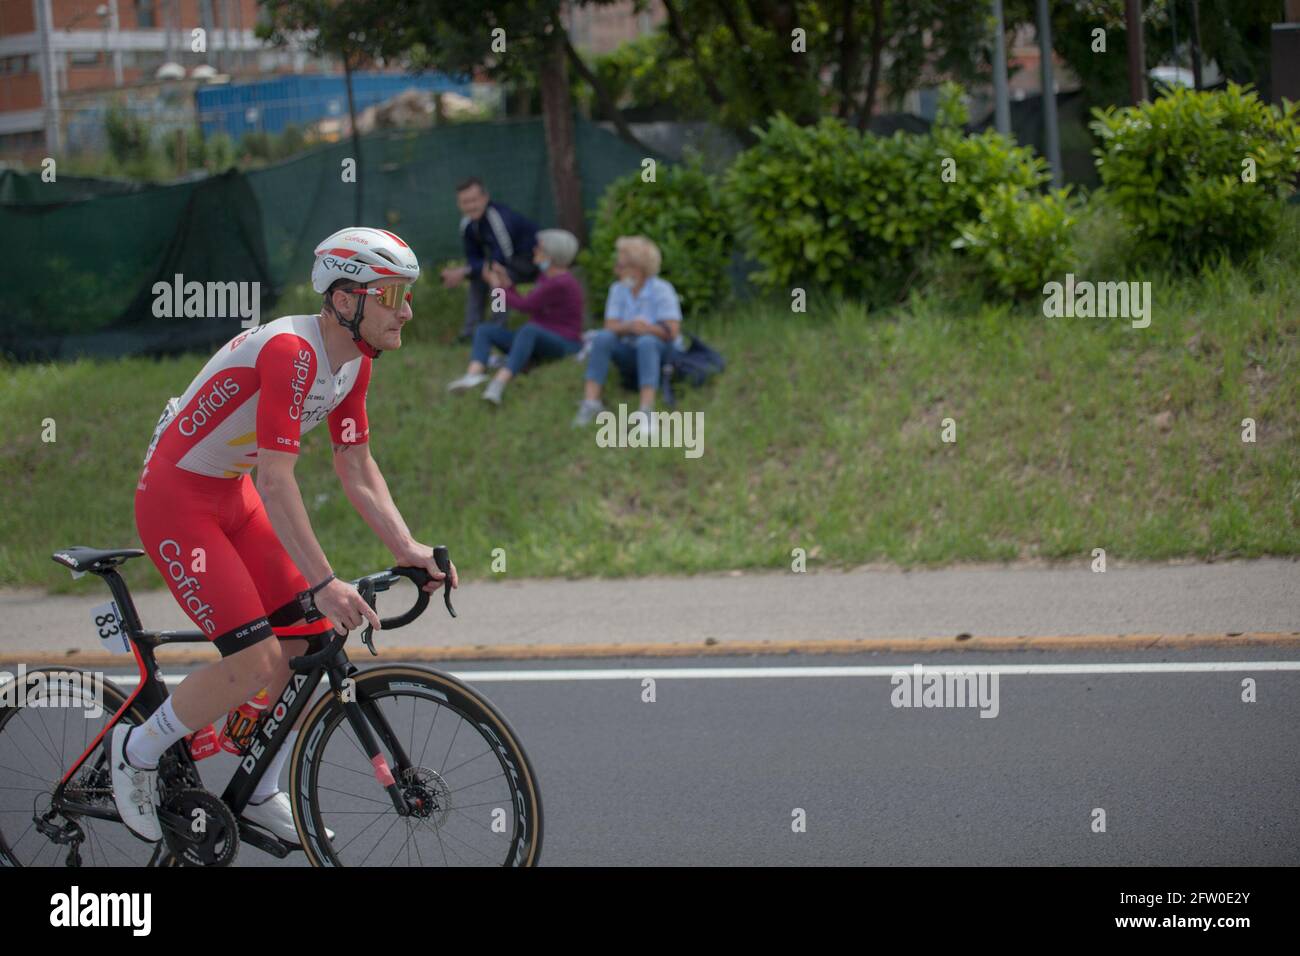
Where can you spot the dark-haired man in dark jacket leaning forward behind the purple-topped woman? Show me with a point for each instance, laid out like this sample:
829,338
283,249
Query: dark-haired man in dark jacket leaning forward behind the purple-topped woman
492,233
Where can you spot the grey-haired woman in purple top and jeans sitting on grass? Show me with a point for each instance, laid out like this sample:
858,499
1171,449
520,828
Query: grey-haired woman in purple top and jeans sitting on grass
554,328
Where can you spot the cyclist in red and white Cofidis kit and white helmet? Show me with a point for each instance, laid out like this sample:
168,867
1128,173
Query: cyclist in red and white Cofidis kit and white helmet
240,559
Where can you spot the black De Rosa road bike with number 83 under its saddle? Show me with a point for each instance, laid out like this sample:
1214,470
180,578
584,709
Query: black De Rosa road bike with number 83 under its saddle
396,765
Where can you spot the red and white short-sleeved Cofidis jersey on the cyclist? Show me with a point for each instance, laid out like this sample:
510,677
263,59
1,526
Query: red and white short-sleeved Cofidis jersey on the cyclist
266,388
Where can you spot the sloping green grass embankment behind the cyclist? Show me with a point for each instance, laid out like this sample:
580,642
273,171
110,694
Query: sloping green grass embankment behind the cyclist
824,434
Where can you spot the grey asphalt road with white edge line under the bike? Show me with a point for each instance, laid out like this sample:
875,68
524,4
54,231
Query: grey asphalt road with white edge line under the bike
718,765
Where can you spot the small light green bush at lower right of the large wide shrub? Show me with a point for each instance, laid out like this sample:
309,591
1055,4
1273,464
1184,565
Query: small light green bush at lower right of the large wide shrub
1021,240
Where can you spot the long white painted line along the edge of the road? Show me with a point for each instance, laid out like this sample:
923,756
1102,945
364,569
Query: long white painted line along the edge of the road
879,672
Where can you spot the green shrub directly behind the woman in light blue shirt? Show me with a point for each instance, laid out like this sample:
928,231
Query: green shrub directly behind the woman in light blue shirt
682,213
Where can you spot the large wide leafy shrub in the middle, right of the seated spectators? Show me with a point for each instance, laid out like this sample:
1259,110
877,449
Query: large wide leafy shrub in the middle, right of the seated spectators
850,213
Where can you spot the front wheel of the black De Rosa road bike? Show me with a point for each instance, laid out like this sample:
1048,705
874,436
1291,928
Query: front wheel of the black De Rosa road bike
460,764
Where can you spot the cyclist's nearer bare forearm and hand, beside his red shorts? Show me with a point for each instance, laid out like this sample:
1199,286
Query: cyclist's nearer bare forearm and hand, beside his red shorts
284,503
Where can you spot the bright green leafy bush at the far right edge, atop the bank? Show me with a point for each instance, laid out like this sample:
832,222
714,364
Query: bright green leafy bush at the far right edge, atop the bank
1176,170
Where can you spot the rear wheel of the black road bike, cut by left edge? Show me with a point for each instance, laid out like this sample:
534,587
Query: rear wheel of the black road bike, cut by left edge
45,726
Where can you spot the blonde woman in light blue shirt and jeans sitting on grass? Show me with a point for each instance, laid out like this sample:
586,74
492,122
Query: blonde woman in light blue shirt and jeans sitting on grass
643,319
